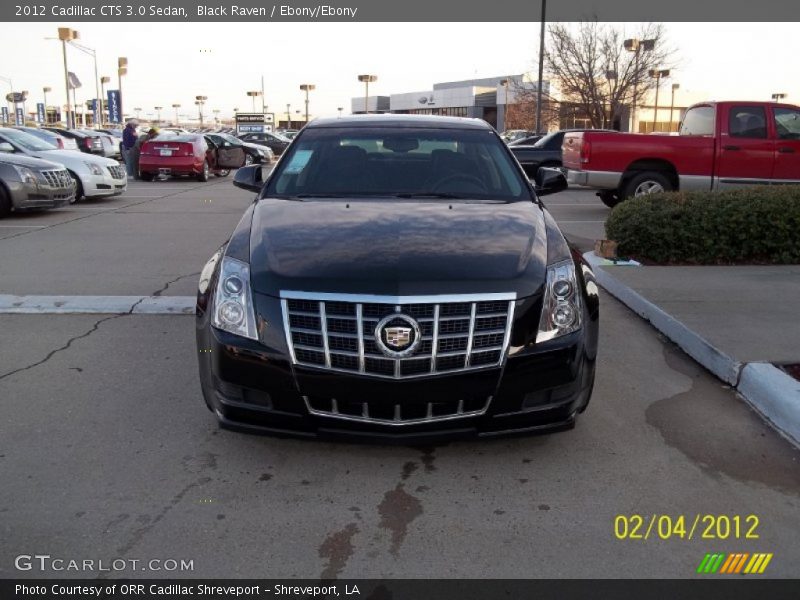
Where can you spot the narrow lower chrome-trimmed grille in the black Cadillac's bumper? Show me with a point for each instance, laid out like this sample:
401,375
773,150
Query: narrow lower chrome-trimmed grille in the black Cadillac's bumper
407,413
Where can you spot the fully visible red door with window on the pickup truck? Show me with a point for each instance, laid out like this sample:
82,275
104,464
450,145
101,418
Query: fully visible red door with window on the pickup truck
746,150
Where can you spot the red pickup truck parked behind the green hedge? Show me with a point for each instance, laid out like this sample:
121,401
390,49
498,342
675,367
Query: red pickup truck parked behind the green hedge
720,145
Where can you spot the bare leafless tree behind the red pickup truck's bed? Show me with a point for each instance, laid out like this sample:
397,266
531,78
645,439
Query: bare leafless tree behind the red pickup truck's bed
594,72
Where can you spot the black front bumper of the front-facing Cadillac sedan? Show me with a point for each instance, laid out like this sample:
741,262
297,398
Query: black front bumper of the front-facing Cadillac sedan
256,389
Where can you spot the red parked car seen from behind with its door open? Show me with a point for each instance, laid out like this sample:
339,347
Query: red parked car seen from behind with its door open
191,155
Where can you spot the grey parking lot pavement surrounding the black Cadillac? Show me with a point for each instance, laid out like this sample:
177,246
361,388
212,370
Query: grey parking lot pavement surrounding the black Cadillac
107,450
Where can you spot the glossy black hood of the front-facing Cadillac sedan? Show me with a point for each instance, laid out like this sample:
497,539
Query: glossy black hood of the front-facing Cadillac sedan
397,247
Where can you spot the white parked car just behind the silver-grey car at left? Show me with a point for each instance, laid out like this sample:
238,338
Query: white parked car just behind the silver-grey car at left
94,176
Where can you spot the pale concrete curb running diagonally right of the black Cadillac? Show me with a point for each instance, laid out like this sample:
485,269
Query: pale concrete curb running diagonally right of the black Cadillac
771,392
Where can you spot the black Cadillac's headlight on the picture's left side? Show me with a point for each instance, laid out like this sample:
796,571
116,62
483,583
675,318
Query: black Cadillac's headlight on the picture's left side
233,301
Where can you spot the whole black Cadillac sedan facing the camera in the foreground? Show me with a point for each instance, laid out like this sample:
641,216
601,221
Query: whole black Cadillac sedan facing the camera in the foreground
397,277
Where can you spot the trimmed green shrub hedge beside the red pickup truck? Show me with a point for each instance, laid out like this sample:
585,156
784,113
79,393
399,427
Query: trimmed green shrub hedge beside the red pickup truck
753,225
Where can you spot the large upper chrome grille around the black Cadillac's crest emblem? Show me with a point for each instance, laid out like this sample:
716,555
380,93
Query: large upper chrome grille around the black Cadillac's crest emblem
337,332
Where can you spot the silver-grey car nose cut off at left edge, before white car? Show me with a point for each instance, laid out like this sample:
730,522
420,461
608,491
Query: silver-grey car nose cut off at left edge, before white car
32,183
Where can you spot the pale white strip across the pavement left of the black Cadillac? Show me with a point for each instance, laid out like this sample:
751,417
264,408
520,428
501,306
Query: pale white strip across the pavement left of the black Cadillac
110,305
